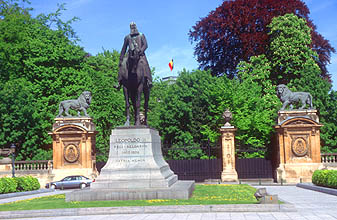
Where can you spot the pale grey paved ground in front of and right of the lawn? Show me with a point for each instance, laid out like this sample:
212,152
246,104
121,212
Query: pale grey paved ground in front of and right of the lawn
311,205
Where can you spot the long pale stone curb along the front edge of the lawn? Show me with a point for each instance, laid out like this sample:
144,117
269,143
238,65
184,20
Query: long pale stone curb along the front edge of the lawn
148,209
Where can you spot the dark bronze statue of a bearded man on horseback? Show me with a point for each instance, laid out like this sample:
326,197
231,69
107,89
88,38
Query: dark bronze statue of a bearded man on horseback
134,73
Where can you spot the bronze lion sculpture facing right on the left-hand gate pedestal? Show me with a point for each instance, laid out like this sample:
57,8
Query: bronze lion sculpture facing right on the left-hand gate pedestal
80,104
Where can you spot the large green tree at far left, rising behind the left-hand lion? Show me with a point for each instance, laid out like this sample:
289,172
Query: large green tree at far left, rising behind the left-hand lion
51,63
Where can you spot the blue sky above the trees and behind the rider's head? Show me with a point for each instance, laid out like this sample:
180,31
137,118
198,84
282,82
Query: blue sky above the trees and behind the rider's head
104,23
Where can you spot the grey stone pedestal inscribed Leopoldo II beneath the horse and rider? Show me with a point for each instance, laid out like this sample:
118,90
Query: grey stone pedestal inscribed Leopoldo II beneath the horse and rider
135,169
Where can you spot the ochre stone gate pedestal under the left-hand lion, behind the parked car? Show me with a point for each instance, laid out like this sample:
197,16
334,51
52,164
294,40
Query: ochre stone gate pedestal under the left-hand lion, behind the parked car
74,147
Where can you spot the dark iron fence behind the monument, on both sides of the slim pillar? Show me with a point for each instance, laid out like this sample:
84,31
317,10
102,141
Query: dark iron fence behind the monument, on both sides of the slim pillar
211,166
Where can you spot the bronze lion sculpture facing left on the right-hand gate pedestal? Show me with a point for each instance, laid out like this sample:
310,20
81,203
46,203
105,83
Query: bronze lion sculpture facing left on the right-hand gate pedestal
288,97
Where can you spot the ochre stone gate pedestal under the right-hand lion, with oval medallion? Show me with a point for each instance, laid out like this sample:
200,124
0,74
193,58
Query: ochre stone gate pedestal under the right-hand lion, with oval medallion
298,145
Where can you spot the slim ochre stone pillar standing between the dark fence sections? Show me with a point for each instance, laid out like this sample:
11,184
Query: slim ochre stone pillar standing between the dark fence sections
229,173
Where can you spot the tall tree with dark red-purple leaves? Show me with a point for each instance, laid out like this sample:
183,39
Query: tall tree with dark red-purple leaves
237,30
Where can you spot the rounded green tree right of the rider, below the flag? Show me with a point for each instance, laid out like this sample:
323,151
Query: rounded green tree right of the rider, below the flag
189,111
